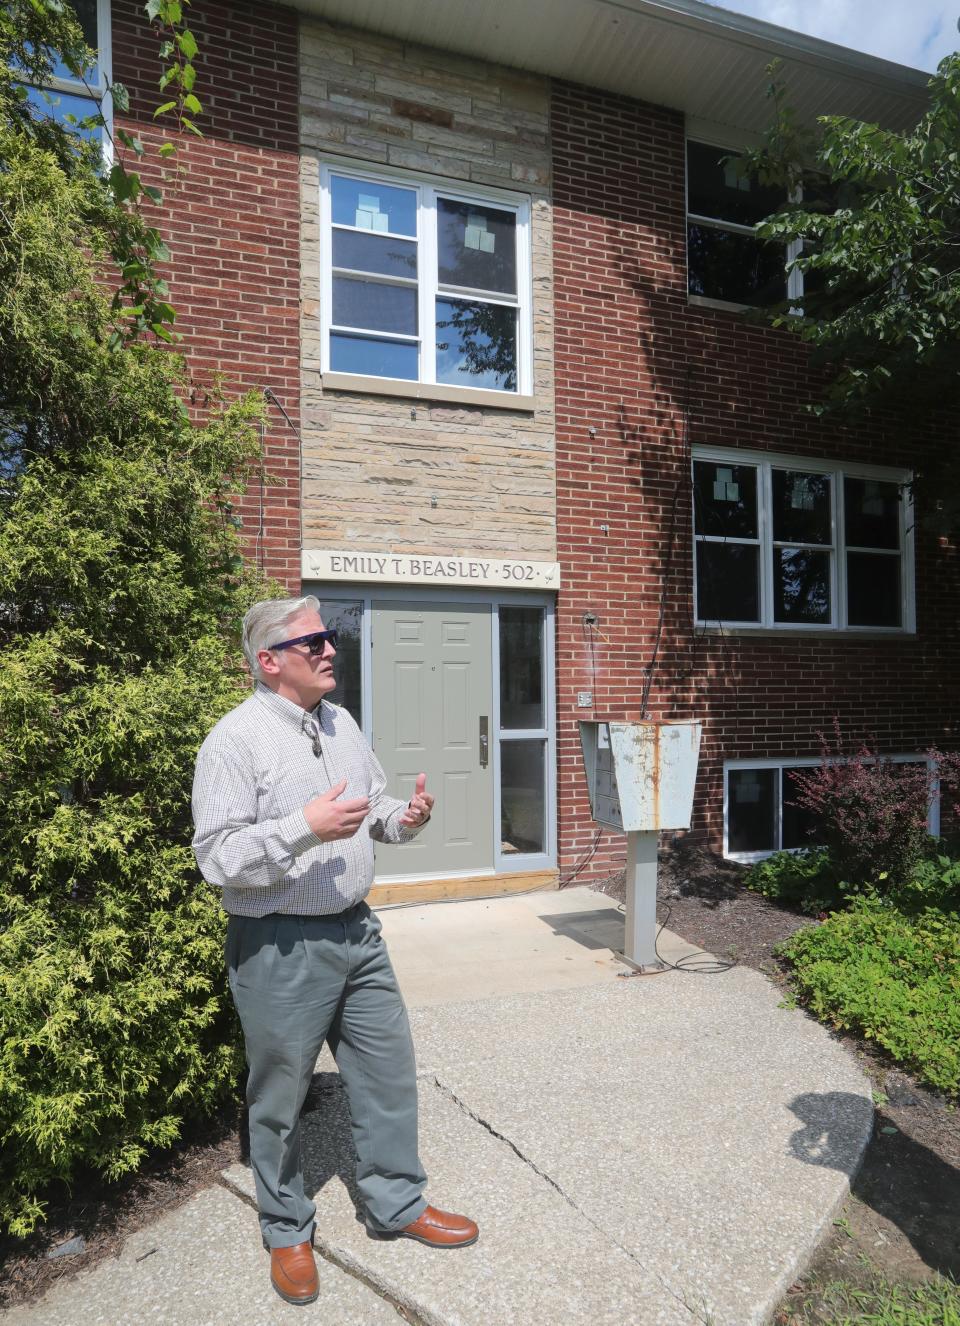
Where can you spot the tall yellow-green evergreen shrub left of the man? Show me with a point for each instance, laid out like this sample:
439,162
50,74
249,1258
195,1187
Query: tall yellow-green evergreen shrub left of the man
121,589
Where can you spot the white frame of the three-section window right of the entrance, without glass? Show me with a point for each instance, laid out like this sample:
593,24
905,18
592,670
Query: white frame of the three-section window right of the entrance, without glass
837,471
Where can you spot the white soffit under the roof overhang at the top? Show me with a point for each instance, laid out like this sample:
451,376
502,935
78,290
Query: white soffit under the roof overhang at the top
686,55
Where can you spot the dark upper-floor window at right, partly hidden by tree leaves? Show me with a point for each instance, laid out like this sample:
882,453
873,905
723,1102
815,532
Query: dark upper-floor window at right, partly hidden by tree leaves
726,261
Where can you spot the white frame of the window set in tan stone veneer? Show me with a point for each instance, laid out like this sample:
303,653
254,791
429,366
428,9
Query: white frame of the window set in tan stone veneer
429,287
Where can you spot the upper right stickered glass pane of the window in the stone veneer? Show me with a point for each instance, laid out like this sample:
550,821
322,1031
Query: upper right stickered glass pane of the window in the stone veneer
477,246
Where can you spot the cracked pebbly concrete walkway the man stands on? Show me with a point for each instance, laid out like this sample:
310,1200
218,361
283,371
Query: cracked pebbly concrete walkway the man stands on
650,1150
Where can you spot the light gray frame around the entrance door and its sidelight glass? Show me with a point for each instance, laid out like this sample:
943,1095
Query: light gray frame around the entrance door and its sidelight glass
367,593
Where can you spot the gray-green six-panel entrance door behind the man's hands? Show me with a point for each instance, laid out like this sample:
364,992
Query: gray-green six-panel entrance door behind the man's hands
432,710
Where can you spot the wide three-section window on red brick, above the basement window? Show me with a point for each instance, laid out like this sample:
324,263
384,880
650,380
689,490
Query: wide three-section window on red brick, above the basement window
802,544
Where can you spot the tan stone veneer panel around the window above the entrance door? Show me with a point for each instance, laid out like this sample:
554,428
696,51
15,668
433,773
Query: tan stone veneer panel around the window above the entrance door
375,465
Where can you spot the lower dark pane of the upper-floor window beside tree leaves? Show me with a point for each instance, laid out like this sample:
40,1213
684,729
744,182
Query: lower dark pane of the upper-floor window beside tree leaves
735,269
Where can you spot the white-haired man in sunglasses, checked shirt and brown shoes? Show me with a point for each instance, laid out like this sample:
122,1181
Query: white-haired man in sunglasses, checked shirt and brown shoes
287,800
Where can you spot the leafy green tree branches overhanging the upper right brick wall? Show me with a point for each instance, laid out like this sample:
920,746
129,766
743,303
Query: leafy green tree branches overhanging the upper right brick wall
880,226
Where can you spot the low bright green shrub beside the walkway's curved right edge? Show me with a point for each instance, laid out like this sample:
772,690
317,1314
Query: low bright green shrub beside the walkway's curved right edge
889,977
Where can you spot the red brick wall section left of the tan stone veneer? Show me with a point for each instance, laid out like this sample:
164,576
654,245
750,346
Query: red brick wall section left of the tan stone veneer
231,223
